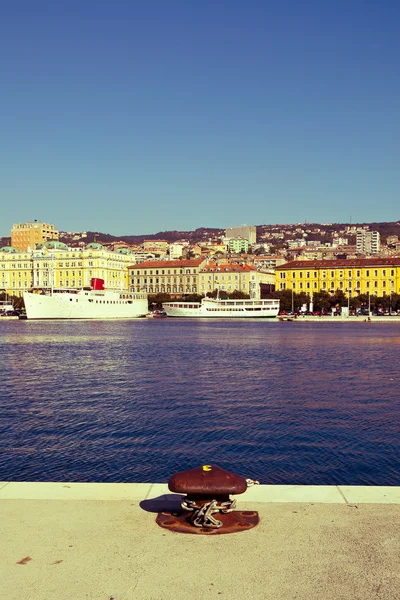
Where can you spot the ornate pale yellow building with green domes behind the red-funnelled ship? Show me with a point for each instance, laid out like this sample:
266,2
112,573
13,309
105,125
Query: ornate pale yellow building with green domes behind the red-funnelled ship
53,264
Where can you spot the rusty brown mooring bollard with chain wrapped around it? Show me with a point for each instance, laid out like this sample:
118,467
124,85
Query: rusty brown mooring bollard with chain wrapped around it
207,490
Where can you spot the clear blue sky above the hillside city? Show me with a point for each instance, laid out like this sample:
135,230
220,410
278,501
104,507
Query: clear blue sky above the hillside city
131,117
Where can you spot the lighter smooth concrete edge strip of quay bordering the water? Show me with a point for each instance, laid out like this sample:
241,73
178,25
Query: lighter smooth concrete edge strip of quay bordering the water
325,494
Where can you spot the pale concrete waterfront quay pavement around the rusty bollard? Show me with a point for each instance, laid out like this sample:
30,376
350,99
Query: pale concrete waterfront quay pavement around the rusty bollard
101,542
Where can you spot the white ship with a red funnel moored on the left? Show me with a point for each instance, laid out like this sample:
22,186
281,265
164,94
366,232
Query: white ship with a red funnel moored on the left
88,303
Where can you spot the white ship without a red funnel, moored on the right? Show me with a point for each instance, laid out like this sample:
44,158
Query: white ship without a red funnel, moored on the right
217,308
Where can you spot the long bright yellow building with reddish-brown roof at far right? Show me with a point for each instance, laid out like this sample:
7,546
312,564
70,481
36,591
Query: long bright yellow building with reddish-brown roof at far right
376,276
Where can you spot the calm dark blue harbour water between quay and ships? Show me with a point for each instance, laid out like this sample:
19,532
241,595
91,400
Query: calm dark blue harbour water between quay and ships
132,401
